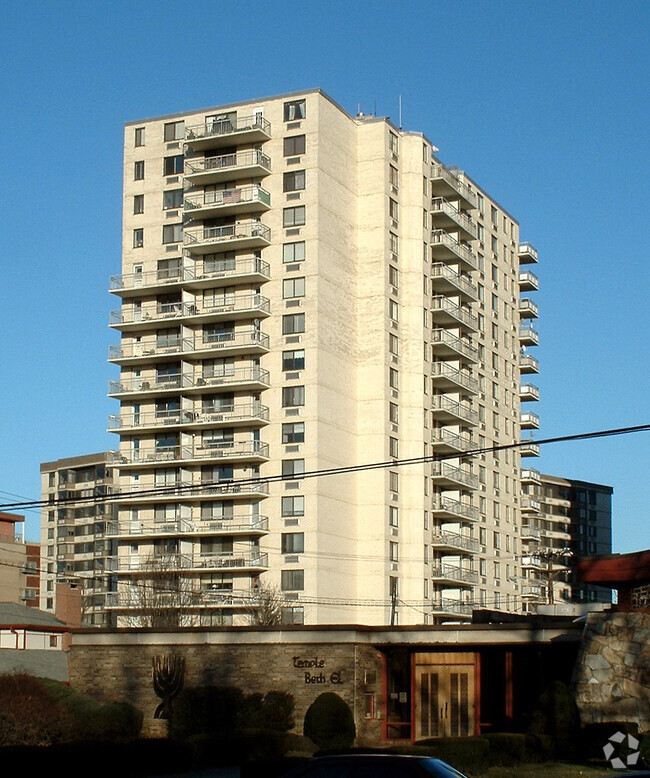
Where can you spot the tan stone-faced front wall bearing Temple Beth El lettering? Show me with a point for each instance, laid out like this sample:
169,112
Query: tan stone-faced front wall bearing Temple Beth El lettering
123,671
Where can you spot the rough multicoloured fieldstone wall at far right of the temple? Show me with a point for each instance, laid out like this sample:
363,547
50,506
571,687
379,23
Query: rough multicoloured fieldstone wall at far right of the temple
612,675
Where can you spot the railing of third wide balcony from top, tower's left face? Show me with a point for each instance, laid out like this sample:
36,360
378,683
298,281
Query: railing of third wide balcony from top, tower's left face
148,347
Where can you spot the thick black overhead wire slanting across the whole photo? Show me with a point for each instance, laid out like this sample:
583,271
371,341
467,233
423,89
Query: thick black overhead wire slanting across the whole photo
176,489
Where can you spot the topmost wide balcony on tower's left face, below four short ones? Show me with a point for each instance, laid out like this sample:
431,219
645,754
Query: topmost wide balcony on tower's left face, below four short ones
229,271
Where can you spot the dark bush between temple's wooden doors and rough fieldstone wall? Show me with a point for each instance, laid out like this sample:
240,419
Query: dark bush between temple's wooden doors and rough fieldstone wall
555,721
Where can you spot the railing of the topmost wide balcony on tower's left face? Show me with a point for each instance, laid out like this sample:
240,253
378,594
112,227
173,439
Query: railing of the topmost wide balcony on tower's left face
228,269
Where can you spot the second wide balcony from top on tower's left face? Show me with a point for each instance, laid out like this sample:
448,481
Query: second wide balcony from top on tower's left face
230,306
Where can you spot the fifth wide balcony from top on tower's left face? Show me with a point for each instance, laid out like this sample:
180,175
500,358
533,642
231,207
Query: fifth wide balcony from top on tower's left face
242,414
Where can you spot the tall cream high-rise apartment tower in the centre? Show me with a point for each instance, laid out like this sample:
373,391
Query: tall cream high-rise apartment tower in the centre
304,290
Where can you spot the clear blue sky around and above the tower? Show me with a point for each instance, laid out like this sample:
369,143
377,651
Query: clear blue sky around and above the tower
544,103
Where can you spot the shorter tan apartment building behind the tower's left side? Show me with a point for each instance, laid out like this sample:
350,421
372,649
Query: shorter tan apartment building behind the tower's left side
74,546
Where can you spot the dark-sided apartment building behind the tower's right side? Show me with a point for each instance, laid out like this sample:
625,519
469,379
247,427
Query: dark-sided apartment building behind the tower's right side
562,520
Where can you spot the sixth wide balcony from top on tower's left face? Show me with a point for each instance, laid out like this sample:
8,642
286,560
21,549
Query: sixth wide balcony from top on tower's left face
250,450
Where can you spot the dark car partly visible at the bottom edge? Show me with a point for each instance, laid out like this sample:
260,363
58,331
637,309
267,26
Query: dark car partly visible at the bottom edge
374,766
